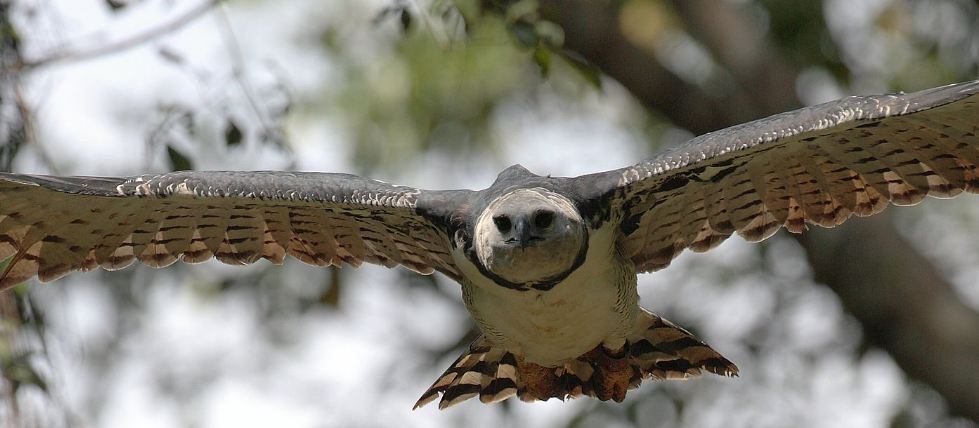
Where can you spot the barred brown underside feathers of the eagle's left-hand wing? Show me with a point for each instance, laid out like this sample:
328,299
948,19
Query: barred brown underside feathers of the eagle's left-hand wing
49,233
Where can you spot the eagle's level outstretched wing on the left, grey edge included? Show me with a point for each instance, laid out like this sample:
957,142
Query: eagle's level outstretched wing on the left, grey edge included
50,226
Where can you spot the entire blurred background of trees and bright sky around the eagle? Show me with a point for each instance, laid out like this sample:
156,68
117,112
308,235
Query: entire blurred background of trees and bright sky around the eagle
873,324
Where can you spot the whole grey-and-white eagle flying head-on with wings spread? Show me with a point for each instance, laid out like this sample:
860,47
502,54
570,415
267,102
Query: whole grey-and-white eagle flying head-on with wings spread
547,264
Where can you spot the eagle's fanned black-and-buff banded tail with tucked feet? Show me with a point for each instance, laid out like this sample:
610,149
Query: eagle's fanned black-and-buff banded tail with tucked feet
658,350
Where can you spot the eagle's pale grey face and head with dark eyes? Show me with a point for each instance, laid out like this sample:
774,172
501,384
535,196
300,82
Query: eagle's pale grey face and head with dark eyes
529,236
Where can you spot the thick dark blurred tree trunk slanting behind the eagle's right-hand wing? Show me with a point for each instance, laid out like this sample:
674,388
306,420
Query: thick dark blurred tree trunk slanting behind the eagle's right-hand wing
937,342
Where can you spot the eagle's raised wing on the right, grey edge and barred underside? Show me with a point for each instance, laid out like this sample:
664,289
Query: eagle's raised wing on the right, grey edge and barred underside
815,165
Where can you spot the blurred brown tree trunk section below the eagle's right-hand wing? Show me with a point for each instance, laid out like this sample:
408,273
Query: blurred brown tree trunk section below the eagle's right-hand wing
904,305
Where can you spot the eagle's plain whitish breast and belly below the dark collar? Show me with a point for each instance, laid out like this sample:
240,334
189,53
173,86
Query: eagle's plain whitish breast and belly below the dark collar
598,302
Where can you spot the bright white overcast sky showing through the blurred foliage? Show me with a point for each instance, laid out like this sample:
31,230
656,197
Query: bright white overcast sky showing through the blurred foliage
195,357
